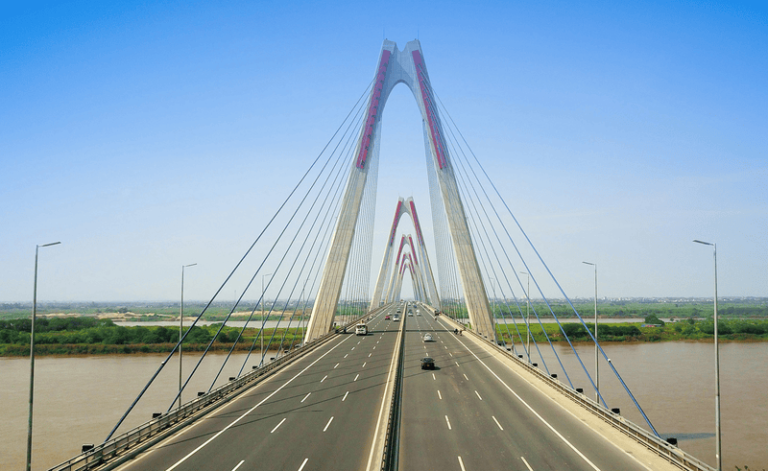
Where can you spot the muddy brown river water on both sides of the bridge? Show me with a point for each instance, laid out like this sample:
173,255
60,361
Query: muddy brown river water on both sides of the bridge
79,399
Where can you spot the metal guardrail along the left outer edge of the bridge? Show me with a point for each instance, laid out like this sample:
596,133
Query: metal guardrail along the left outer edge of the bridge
124,446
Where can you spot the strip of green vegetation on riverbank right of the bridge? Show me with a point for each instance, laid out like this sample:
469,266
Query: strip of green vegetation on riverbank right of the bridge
732,329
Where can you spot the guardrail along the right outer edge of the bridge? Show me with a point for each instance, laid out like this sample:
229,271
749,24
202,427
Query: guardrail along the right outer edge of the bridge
670,452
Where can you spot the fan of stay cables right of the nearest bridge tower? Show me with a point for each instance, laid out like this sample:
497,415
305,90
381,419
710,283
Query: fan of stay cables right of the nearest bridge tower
503,258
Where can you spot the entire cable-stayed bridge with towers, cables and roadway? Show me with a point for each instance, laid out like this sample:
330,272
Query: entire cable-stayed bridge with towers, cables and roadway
312,394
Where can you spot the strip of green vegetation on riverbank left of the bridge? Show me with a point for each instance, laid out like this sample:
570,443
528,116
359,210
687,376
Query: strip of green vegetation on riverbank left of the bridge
78,335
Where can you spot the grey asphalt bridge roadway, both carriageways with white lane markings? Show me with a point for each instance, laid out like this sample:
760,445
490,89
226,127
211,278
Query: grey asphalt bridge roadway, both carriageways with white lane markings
473,412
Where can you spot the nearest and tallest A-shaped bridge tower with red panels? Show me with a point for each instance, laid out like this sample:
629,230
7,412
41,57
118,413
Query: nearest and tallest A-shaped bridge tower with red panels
394,67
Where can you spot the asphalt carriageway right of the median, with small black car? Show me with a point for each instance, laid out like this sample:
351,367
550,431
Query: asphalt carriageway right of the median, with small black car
464,417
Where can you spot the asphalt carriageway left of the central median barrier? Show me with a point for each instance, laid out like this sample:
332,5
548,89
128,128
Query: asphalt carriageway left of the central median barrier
319,413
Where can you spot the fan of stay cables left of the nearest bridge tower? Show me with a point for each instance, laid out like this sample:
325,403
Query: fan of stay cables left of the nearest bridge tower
288,256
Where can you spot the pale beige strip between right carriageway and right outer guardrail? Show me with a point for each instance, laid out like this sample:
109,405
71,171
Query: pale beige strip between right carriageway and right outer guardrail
626,444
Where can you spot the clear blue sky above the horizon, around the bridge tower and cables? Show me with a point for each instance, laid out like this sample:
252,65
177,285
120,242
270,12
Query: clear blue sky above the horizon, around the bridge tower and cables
147,135
